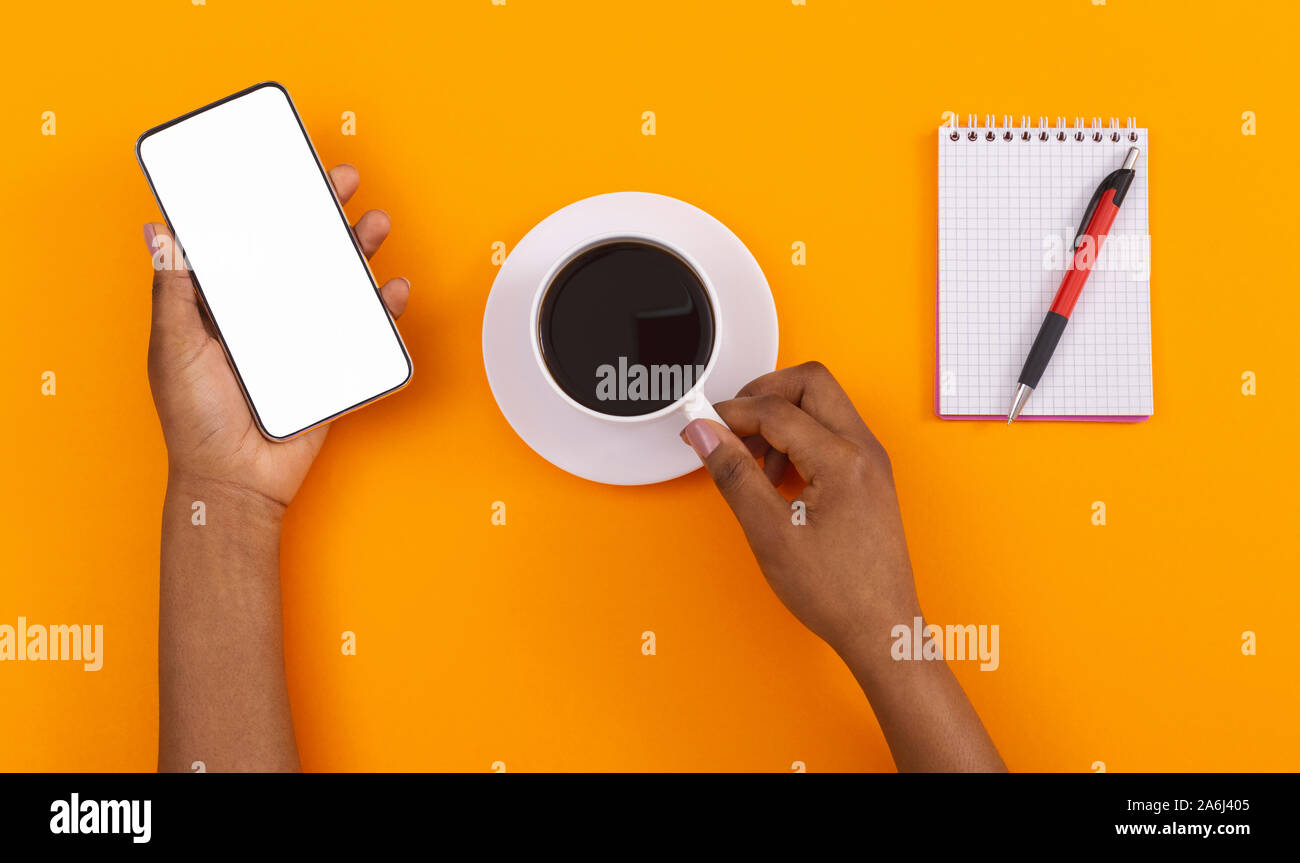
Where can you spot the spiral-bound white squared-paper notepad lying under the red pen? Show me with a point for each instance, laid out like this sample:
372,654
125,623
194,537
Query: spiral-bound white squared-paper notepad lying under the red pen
1011,200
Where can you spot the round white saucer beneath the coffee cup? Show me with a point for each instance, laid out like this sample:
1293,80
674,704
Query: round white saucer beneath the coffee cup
622,454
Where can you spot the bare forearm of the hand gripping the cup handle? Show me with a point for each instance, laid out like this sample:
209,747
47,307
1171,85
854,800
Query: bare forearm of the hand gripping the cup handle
925,715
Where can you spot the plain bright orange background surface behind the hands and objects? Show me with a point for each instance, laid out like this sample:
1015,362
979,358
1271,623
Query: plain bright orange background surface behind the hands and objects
523,644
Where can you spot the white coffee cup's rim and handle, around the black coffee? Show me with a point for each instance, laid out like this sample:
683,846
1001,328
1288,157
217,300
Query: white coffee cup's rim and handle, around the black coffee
692,405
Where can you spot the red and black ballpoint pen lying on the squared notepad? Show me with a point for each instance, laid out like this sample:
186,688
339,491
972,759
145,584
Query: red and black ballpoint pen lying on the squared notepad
1097,223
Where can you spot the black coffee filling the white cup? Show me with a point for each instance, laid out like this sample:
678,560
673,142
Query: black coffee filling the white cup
626,328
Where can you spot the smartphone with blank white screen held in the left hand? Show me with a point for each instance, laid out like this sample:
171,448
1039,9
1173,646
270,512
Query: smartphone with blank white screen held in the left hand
274,261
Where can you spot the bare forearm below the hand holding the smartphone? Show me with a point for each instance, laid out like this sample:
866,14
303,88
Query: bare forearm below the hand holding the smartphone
223,696
